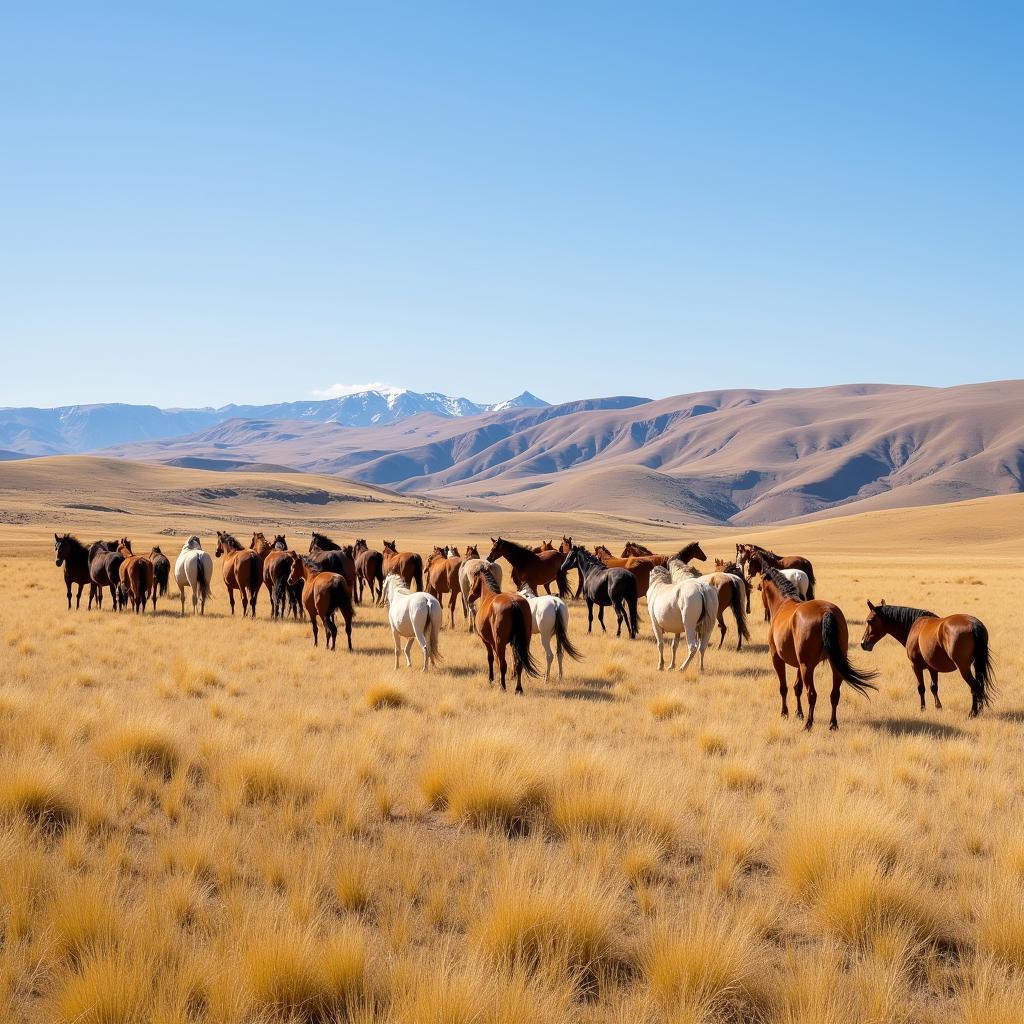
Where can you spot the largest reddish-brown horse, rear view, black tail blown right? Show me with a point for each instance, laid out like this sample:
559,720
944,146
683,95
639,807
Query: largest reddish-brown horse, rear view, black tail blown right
803,634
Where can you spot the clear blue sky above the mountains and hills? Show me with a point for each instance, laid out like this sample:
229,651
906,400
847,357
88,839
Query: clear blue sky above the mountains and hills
212,203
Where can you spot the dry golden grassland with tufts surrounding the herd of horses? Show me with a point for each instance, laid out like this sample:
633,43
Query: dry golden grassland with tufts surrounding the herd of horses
209,821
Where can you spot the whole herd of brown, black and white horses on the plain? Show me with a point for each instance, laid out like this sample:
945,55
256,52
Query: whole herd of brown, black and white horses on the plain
804,632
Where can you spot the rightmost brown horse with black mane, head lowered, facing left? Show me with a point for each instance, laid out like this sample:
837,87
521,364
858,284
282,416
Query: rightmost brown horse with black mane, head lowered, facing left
953,644
